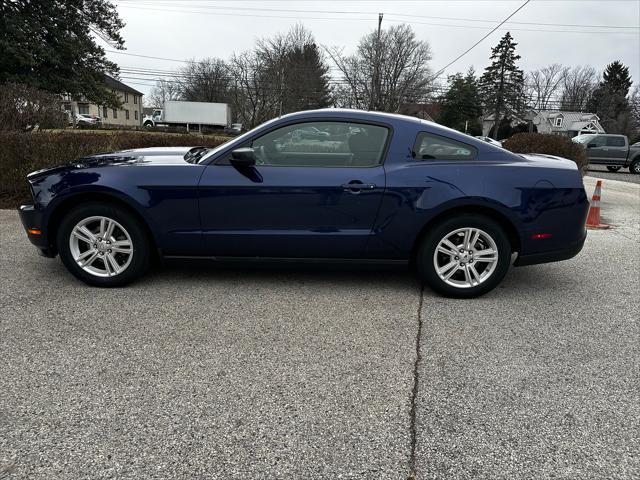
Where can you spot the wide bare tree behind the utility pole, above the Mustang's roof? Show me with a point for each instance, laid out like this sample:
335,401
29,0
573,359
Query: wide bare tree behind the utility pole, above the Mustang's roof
398,62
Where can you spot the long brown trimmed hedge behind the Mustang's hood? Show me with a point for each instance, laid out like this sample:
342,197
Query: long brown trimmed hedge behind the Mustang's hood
23,152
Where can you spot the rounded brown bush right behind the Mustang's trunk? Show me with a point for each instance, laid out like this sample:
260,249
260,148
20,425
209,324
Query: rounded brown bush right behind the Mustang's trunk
549,145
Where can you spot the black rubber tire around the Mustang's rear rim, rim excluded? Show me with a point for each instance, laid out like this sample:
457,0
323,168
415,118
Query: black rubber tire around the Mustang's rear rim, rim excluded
425,257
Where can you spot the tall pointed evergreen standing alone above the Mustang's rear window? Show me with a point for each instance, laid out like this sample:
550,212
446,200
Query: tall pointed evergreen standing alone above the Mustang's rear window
502,83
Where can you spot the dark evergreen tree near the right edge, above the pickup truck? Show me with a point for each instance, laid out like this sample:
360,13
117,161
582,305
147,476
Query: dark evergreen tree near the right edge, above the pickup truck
609,99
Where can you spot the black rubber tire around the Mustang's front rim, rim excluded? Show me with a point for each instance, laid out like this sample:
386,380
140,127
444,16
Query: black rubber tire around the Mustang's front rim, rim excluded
141,247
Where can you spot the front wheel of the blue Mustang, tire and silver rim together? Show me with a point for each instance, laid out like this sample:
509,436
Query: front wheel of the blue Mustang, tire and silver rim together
103,245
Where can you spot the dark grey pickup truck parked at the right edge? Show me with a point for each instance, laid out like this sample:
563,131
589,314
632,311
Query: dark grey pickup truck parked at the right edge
611,150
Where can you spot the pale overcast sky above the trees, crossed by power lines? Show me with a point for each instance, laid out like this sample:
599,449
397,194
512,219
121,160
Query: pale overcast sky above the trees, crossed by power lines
584,32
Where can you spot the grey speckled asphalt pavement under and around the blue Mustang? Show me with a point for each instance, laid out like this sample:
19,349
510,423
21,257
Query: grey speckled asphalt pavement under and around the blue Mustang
314,373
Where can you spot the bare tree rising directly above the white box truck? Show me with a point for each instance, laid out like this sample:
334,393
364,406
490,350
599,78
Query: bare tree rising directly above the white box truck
206,80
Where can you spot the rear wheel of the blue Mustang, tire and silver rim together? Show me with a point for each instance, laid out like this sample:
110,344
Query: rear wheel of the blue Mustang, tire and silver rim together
464,256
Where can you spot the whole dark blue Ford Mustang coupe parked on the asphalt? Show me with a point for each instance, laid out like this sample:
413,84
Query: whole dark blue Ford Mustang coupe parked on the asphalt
325,184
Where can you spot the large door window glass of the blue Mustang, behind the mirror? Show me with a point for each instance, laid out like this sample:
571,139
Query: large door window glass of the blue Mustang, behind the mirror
322,144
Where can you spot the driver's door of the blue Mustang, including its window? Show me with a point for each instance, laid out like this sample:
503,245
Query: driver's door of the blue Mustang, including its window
307,196
